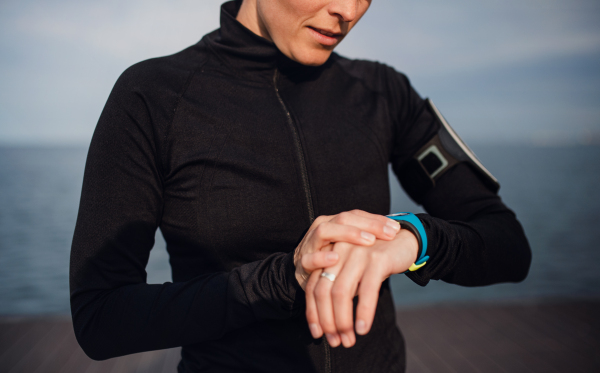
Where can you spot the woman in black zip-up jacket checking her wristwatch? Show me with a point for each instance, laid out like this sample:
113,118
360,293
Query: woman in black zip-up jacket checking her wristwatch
258,153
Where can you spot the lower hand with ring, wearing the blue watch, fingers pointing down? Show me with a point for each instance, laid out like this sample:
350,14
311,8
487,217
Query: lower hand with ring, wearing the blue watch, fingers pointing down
359,271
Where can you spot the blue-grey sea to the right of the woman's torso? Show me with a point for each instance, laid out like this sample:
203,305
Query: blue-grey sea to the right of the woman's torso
555,193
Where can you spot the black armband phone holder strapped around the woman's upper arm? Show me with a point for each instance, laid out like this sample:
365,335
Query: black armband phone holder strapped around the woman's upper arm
442,152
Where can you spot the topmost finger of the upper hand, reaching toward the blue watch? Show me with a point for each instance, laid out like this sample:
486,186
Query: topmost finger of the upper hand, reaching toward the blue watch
378,225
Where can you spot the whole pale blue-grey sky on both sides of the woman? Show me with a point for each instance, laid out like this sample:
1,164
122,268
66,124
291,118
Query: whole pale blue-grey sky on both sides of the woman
501,71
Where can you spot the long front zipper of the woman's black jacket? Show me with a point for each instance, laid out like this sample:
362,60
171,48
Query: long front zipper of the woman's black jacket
306,186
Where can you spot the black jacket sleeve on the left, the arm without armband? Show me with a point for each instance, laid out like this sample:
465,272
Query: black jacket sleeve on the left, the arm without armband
115,312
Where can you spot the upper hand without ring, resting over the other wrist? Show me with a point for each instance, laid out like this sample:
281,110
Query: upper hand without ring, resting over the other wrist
355,227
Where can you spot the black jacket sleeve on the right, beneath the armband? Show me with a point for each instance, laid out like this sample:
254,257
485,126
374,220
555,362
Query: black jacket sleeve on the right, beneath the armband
474,239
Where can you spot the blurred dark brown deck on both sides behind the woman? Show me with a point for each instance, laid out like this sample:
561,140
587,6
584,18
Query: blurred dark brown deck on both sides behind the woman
534,337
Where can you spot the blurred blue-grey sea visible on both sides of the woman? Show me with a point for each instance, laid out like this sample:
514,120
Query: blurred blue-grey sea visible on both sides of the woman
554,192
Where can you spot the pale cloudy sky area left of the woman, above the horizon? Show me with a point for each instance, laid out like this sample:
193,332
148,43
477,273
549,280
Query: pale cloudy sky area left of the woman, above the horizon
60,59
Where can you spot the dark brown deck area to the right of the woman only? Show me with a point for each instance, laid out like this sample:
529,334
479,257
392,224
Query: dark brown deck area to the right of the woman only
548,337
